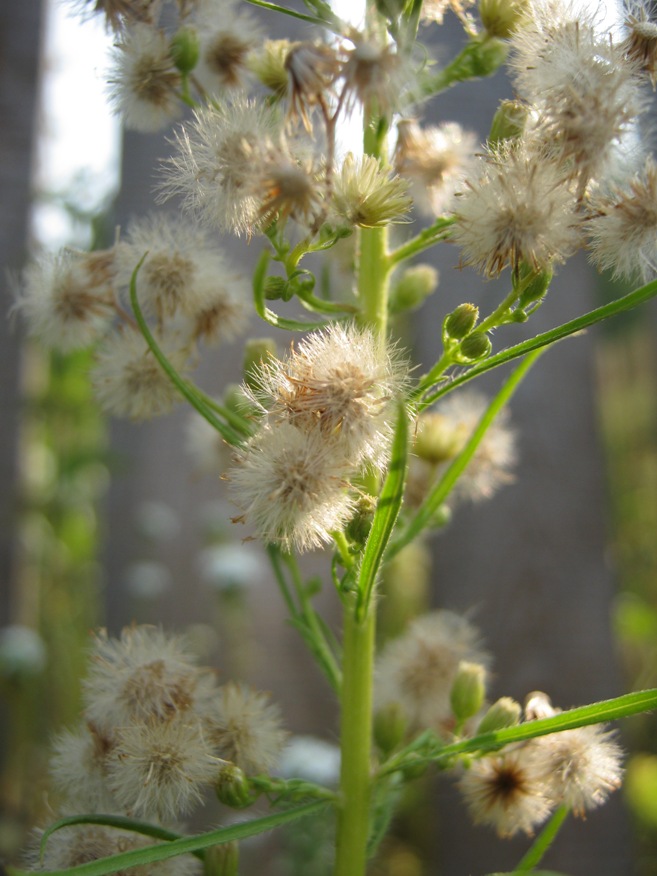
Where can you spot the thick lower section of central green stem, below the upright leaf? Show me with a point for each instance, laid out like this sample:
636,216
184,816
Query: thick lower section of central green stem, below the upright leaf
355,742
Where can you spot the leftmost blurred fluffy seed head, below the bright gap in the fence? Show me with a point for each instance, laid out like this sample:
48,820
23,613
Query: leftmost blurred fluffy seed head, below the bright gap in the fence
67,299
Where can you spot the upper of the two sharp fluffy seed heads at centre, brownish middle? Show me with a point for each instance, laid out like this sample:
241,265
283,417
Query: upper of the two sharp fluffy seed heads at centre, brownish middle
342,381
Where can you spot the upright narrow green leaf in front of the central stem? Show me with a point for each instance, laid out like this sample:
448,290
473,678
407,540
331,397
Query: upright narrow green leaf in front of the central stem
385,516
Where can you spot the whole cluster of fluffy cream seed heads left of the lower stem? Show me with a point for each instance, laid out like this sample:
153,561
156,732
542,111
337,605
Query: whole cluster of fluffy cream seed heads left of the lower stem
157,732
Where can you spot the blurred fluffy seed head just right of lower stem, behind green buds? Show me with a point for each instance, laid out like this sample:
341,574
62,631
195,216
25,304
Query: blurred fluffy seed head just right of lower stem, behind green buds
416,670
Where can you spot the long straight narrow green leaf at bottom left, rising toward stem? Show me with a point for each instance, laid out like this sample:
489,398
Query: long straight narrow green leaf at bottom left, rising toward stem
183,846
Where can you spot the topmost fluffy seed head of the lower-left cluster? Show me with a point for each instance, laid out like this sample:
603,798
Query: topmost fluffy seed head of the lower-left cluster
144,676
